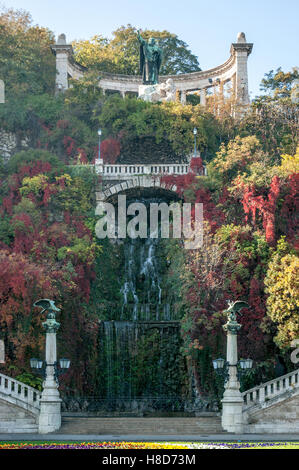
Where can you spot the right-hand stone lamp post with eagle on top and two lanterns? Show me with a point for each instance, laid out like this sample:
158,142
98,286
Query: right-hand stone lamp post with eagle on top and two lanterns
232,401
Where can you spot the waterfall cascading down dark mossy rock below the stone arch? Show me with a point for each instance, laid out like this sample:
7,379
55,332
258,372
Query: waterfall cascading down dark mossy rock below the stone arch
141,348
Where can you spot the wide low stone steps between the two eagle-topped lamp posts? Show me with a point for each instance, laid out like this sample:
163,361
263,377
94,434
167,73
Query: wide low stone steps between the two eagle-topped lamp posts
141,426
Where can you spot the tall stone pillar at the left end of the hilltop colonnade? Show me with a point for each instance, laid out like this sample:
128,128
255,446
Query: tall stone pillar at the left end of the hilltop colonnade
62,50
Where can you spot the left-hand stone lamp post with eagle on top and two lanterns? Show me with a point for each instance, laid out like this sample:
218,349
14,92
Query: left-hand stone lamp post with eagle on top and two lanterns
50,403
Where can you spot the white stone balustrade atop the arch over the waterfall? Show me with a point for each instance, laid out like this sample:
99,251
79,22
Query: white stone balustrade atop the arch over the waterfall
111,171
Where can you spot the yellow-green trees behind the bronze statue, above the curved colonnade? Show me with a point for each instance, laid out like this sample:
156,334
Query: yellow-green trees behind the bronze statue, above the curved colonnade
121,53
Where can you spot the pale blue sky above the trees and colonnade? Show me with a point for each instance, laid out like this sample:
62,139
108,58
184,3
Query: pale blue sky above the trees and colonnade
208,27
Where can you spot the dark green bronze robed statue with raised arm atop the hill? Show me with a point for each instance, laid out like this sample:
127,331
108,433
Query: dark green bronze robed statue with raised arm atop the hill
150,60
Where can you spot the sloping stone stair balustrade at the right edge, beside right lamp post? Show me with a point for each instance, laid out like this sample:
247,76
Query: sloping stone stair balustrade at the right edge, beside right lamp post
263,393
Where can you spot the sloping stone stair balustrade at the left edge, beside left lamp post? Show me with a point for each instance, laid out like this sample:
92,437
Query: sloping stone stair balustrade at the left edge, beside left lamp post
20,394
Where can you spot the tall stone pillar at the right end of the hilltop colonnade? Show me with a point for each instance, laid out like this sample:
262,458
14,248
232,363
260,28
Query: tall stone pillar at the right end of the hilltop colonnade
241,50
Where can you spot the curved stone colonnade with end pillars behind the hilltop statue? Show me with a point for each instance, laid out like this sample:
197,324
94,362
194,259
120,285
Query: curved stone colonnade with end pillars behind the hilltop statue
234,71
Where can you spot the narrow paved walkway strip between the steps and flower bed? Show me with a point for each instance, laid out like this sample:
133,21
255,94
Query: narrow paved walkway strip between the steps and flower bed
225,437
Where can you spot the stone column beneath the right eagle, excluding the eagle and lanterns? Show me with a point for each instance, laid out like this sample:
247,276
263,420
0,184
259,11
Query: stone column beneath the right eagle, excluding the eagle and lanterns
232,402
